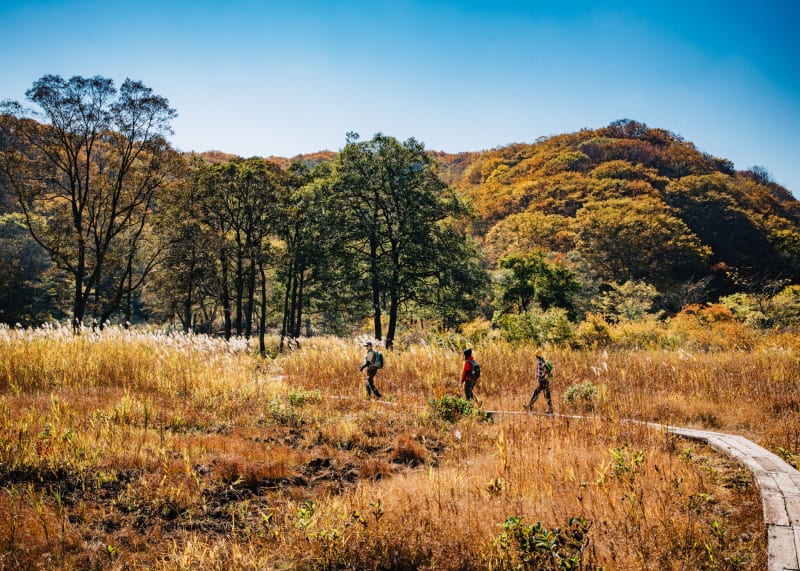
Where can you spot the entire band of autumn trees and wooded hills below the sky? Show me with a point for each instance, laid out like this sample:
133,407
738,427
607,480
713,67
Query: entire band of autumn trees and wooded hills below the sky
101,221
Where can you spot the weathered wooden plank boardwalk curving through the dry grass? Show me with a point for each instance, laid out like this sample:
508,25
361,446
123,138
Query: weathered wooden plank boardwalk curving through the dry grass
777,480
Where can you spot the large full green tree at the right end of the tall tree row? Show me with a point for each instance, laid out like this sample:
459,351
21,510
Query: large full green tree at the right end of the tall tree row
396,211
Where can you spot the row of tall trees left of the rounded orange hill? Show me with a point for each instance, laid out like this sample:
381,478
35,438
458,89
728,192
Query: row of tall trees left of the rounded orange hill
133,229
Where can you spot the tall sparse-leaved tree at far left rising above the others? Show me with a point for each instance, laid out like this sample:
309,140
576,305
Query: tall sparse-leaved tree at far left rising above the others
90,162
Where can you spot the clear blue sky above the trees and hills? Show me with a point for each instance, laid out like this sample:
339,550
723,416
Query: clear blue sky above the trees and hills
294,76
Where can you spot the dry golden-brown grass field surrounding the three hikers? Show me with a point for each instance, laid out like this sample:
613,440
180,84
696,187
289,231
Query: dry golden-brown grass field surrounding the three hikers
147,451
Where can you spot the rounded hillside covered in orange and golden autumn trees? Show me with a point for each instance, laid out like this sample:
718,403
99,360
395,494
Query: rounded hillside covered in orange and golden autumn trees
634,203
